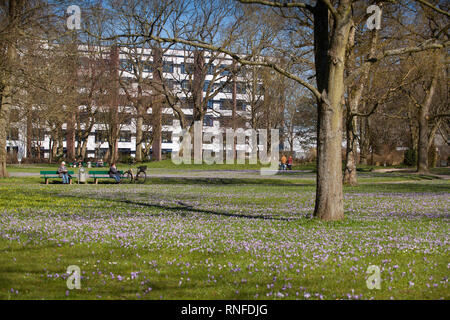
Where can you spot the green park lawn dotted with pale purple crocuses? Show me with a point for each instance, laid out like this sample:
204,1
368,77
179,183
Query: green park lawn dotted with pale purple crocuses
202,239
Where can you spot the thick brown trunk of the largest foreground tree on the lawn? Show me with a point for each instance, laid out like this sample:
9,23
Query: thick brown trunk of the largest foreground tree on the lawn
330,64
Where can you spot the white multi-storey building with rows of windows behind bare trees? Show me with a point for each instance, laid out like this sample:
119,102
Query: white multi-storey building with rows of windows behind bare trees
177,73
